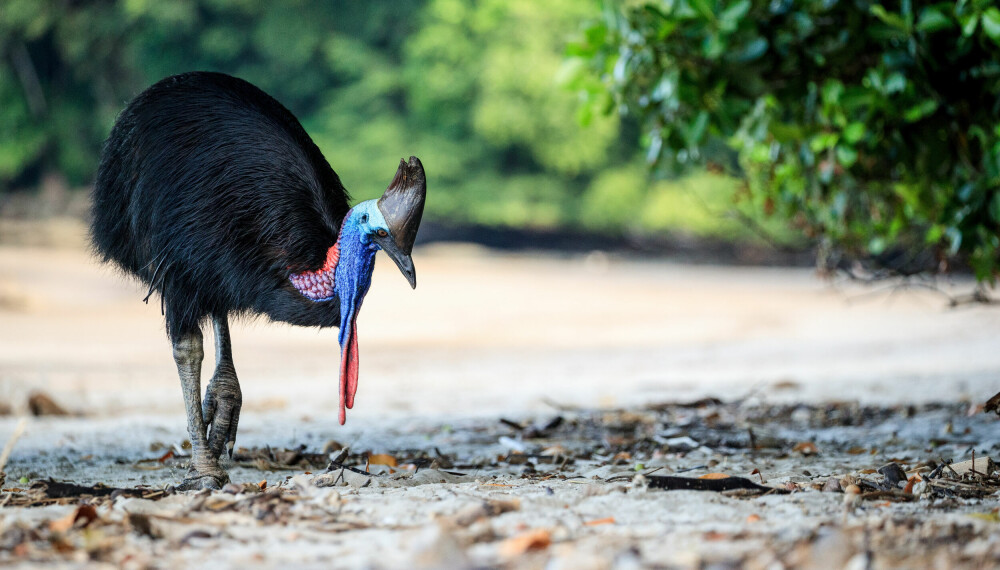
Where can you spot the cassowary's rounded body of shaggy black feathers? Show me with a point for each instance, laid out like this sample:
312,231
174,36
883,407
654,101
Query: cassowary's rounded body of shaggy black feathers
212,193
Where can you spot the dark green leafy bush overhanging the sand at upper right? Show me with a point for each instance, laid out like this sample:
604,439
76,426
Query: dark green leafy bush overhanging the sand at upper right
872,127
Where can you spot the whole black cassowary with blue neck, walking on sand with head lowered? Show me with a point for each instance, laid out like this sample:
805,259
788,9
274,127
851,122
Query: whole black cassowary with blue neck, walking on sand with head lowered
211,193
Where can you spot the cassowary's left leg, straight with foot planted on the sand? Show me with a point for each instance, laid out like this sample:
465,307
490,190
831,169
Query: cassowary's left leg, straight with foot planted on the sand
204,472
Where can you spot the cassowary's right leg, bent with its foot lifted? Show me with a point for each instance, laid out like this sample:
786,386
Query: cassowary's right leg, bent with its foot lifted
223,398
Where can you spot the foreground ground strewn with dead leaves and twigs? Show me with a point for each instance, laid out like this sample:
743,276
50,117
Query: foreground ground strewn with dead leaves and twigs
660,485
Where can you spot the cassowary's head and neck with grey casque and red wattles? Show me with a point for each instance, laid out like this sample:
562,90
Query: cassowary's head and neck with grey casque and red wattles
390,224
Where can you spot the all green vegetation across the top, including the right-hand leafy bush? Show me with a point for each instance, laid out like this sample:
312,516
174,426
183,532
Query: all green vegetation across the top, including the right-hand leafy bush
869,129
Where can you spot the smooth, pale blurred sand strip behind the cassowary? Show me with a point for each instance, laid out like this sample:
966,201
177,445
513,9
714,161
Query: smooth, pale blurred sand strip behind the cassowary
485,333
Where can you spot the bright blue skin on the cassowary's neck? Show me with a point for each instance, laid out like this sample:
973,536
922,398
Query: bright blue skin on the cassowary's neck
353,274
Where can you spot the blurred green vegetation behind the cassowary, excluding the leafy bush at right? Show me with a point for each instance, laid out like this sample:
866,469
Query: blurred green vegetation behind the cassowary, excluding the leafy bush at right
481,91
